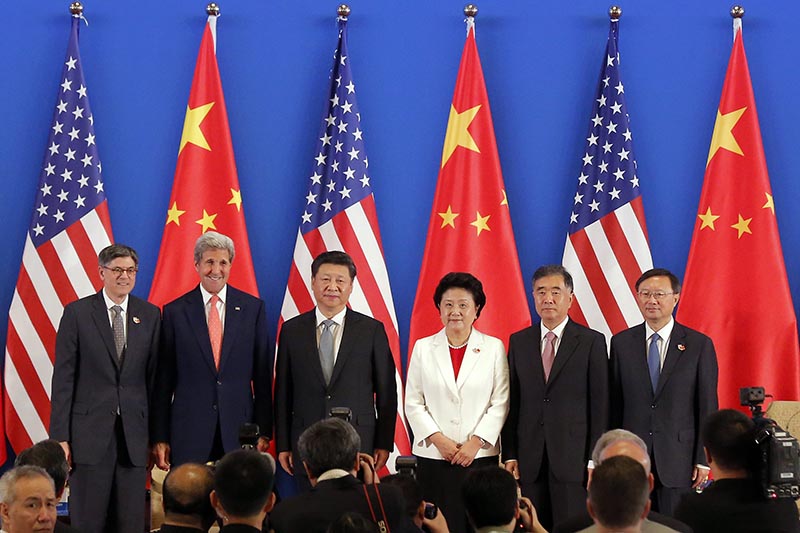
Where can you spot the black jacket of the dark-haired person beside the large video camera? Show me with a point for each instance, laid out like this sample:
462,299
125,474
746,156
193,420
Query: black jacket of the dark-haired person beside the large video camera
734,505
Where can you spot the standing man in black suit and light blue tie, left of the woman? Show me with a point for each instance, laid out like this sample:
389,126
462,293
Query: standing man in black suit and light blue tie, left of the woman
330,357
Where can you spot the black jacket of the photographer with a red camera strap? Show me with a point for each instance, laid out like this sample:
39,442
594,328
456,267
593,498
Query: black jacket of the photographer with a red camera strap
313,512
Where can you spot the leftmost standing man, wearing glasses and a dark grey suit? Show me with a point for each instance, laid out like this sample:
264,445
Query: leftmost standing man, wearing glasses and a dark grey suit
106,355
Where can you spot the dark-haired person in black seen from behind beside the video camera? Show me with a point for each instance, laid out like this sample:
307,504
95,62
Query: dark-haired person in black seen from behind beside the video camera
734,502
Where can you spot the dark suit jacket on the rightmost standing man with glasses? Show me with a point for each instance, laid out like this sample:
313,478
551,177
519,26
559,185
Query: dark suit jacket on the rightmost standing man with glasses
669,418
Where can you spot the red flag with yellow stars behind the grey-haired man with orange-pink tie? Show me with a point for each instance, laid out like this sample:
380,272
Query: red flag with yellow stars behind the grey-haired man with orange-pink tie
205,193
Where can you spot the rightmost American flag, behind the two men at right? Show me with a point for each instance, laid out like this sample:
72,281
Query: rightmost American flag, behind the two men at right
607,247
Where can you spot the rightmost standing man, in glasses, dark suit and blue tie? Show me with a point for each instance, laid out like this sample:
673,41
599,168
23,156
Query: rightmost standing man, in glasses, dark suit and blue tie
663,386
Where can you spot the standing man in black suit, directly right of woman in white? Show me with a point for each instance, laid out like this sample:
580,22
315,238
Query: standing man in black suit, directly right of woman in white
558,403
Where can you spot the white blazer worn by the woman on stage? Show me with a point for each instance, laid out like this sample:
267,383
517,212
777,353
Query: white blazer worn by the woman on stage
474,404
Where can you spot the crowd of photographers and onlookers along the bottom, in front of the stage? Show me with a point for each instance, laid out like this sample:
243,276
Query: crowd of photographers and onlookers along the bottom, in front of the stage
237,495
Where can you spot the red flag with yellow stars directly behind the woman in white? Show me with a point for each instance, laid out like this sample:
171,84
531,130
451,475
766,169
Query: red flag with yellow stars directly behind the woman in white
470,227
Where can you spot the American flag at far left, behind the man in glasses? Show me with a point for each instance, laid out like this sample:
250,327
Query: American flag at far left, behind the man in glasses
70,225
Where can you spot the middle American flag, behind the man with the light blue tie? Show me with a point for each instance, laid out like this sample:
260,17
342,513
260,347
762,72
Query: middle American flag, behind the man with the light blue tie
340,214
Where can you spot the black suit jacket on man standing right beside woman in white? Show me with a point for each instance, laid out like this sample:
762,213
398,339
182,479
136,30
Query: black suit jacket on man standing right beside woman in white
567,414
